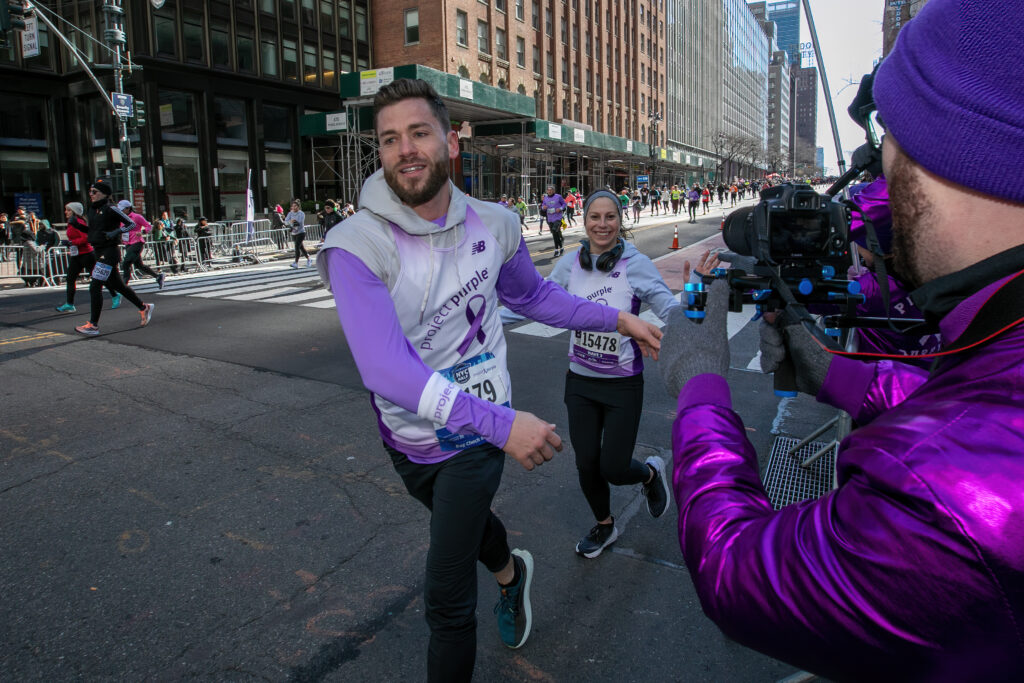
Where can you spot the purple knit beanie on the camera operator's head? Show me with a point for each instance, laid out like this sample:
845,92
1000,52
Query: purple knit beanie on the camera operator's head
952,93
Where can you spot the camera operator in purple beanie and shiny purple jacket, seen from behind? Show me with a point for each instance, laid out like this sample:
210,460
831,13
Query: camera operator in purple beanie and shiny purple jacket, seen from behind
914,568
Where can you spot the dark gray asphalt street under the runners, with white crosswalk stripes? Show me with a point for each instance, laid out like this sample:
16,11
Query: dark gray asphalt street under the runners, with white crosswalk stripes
208,498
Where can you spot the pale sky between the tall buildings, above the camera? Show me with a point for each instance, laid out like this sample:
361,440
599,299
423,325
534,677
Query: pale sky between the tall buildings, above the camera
850,36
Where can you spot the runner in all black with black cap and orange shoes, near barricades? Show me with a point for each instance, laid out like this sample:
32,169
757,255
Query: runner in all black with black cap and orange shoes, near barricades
107,226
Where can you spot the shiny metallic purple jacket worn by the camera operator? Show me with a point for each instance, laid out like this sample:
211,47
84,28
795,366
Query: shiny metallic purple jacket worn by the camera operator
914,568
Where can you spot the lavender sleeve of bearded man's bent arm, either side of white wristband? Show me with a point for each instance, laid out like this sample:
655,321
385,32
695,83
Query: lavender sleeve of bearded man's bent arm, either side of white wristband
388,363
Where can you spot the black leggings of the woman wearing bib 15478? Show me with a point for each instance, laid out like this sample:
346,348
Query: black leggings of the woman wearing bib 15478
605,418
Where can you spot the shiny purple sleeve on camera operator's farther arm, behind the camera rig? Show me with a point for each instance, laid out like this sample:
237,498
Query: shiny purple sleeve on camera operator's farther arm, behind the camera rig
869,390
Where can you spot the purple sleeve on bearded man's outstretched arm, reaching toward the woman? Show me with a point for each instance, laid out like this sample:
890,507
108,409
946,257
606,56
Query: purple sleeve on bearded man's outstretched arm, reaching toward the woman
523,290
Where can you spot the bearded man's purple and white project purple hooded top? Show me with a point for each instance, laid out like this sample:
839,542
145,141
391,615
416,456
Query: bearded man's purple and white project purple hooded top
418,302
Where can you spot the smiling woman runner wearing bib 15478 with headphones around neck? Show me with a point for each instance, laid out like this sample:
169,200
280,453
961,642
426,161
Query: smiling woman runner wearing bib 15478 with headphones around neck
605,382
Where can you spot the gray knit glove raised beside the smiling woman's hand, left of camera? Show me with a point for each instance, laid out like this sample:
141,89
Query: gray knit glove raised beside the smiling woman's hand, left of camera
690,350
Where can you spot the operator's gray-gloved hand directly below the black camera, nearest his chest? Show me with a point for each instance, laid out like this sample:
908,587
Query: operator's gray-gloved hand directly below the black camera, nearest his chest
809,359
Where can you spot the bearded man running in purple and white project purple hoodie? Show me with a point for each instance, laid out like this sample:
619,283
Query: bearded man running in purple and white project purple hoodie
420,334
